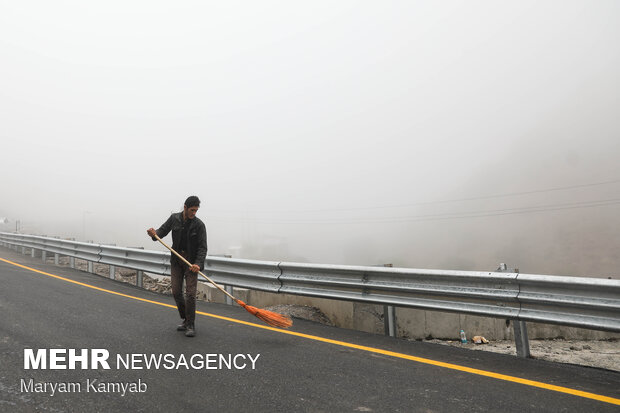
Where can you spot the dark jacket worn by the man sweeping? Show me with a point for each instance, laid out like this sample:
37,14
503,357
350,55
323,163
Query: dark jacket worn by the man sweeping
196,244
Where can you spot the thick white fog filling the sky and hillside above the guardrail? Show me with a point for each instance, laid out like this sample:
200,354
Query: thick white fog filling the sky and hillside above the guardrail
452,135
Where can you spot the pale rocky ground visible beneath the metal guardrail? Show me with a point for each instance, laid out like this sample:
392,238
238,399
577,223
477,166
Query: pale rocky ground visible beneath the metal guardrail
594,353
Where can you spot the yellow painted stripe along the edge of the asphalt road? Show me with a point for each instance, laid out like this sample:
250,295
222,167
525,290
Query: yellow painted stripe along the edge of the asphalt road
470,370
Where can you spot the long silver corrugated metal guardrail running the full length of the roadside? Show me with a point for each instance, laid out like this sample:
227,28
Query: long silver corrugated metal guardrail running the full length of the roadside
590,303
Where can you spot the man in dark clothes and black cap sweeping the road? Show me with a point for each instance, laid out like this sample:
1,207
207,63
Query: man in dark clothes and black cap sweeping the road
189,238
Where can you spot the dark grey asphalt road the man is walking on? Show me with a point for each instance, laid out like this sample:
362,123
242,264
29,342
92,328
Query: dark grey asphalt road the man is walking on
302,372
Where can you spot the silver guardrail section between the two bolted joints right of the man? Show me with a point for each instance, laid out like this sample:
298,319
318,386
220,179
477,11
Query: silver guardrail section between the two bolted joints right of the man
479,293
